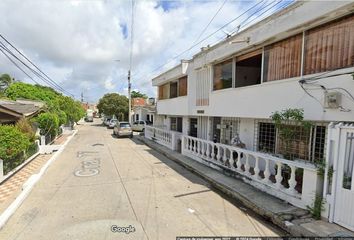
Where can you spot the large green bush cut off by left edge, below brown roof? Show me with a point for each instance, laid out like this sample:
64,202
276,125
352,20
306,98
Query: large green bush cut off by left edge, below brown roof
13,146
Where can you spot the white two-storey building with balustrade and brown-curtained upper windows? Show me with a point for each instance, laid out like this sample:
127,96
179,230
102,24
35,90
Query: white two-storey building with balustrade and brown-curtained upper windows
216,107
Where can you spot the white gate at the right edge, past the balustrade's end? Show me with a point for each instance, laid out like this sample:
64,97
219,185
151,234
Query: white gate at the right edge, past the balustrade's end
344,193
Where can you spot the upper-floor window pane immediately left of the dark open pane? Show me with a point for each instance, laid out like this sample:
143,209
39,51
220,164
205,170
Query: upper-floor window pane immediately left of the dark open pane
222,75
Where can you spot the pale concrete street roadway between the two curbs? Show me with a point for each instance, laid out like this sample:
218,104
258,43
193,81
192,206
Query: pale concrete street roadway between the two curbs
102,187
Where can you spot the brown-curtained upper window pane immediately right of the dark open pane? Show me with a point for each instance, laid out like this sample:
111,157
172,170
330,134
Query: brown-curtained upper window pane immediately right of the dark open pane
282,60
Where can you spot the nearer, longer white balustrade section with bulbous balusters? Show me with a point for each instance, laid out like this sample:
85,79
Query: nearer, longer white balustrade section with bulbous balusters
272,174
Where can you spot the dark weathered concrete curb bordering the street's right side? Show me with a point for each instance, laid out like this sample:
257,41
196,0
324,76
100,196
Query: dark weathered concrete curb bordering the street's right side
291,228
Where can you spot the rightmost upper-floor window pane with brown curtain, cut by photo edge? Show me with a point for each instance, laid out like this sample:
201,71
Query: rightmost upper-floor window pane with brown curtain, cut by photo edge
330,46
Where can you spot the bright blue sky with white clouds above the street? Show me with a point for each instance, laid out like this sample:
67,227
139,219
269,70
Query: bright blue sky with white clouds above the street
84,45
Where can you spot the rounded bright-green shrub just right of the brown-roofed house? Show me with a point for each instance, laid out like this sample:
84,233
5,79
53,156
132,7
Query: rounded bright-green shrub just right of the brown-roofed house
48,123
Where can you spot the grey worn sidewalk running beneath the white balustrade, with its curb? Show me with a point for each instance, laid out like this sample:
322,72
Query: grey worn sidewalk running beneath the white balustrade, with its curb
296,221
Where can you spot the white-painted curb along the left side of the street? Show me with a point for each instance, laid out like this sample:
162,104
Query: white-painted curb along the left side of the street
29,184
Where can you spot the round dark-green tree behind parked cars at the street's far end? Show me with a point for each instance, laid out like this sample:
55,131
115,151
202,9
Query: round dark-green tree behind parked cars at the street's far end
114,104
